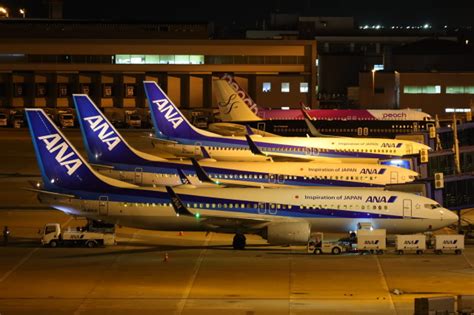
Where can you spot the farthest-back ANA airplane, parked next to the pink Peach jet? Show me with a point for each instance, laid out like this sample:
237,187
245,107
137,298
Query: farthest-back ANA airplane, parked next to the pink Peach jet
182,138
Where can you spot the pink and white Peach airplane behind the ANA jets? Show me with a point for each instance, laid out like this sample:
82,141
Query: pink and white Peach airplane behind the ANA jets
292,122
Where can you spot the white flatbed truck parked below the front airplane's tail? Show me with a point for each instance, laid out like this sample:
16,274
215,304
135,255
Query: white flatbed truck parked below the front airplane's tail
53,236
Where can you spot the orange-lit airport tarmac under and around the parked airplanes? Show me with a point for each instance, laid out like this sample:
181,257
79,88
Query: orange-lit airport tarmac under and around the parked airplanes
202,273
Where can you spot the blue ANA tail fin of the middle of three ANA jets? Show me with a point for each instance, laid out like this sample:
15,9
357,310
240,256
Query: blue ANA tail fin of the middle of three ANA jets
102,141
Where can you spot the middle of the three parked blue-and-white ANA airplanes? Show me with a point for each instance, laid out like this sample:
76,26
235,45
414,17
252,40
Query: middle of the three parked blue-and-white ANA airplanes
112,156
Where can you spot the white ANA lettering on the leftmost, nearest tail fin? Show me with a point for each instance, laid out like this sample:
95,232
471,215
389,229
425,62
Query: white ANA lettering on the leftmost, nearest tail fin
53,144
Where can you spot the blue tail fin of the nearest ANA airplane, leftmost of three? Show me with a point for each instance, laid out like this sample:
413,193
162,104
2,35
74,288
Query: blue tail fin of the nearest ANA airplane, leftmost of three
61,166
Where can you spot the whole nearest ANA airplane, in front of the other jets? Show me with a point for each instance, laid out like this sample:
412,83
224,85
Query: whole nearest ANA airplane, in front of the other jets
281,216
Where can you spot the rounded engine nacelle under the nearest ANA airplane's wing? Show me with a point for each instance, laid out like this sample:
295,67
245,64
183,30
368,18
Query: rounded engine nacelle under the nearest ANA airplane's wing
290,233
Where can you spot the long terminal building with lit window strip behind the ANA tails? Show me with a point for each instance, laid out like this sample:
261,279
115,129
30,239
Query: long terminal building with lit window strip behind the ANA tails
42,63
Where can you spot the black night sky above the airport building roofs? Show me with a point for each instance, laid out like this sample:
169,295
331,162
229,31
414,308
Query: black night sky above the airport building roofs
245,11
